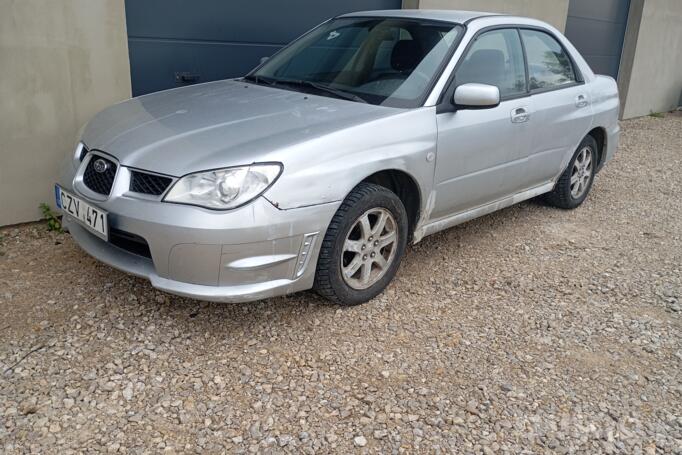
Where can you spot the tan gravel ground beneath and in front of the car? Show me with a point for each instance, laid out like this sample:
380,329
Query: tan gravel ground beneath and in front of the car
532,330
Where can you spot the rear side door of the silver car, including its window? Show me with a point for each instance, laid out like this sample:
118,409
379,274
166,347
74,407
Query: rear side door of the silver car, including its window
561,106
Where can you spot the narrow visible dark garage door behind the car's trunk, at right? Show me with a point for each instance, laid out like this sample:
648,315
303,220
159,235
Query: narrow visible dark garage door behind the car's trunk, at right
597,28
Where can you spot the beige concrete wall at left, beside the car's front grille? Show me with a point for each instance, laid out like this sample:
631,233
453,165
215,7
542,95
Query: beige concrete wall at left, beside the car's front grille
62,61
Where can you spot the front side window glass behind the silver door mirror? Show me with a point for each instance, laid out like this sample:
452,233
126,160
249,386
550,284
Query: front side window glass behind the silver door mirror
495,58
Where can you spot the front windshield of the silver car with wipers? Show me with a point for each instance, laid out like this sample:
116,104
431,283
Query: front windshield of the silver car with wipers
383,61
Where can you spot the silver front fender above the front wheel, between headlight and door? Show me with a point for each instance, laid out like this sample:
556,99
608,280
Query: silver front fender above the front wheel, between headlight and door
345,158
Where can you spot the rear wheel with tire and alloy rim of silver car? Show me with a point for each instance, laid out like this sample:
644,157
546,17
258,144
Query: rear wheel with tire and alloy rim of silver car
567,193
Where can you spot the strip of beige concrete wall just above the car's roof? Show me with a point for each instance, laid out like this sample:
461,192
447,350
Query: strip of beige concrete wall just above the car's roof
551,11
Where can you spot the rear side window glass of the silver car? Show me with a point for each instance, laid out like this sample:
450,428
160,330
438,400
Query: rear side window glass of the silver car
548,64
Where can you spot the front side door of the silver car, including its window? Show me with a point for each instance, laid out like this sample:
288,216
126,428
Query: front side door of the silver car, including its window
481,152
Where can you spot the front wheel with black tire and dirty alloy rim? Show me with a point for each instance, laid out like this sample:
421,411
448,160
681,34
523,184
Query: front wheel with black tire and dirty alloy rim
349,242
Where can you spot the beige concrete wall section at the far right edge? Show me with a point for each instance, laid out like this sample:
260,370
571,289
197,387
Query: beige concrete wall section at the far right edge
650,77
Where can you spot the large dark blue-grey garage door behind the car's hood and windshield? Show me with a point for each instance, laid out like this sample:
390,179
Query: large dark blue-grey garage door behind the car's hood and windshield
177,42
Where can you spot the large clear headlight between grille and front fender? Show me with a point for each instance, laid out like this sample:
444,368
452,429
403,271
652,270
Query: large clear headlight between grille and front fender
224,188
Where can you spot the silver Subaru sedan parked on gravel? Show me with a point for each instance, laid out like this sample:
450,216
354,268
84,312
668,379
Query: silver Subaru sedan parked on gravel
315,170
